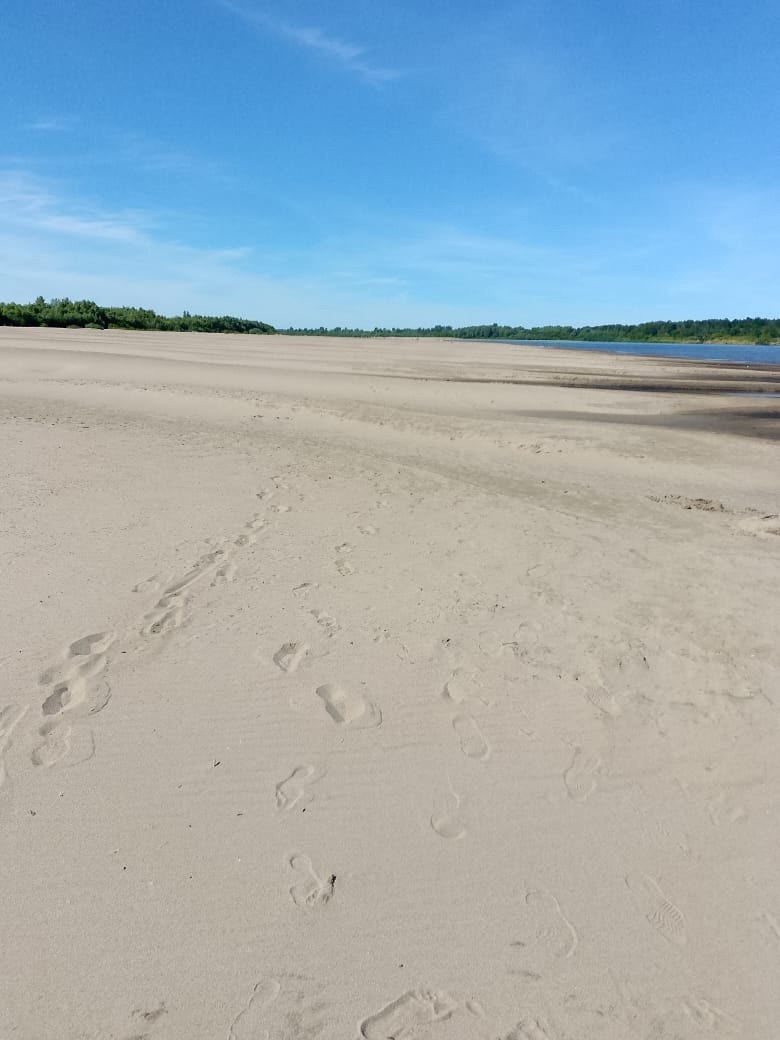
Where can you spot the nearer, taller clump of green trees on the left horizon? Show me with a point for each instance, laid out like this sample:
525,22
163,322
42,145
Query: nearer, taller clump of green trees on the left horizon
65,314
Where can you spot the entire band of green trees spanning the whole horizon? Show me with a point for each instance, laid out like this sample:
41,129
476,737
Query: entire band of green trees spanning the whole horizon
87,315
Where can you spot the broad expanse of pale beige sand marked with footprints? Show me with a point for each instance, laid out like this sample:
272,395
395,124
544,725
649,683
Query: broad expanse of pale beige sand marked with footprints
345,697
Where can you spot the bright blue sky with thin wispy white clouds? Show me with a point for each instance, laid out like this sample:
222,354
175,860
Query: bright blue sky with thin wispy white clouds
363,163
